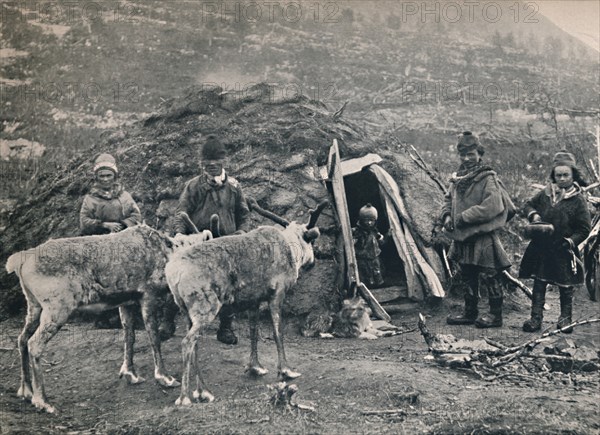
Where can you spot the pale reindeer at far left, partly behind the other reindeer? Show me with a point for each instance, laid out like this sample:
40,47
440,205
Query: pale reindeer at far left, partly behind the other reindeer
101,271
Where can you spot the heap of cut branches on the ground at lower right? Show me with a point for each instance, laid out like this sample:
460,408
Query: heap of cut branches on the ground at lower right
492,360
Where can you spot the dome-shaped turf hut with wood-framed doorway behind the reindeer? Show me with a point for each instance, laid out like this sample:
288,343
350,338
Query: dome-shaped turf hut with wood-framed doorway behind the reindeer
277,149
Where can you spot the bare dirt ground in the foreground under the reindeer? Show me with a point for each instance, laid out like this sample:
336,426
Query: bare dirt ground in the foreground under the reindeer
342,379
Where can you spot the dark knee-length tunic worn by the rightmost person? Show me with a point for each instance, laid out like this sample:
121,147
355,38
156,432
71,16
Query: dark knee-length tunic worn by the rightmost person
546,258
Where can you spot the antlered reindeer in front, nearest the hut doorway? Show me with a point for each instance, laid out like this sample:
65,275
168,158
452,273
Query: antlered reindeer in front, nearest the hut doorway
242,270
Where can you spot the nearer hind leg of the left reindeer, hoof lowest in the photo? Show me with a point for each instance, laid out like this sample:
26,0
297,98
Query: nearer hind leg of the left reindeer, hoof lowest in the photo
51,320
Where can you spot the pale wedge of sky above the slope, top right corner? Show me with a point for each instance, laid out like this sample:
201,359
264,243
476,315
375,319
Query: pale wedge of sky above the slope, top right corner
580,18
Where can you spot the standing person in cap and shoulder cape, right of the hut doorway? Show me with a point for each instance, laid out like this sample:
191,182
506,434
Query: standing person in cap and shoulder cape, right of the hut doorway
473,212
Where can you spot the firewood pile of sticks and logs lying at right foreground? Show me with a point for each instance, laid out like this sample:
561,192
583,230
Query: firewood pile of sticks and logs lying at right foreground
561,360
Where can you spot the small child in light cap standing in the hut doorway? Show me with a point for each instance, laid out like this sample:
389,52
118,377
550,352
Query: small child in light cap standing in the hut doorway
367,244
